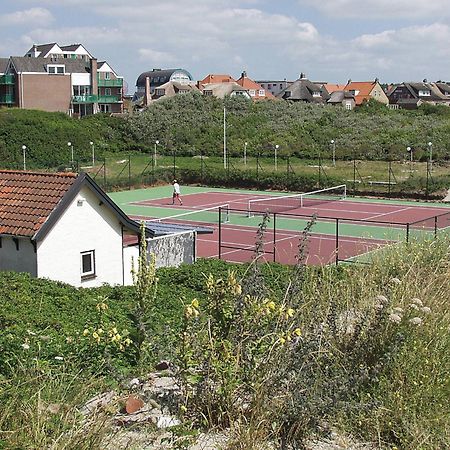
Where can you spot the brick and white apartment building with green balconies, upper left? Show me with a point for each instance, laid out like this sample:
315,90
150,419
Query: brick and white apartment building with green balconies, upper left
66,79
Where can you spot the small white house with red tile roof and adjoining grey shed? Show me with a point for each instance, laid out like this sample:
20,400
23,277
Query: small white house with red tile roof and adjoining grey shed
64,227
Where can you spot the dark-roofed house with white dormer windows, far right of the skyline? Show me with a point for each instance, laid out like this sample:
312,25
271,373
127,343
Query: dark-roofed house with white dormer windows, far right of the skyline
411,95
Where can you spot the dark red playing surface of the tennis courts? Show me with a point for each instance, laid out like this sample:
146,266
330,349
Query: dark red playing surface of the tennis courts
237,241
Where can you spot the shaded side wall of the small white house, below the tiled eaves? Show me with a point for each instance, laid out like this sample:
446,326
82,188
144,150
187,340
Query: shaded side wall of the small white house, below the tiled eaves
22,260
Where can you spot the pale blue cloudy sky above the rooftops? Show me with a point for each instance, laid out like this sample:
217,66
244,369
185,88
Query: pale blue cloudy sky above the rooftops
328,40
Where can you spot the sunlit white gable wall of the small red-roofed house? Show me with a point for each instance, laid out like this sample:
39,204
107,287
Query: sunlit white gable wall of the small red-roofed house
84,226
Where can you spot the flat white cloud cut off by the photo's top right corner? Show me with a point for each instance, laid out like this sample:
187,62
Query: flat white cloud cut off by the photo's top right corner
384,9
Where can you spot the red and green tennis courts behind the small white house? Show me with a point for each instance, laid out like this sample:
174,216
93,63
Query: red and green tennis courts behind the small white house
345,229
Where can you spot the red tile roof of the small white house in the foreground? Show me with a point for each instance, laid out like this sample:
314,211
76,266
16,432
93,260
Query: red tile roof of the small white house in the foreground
28,198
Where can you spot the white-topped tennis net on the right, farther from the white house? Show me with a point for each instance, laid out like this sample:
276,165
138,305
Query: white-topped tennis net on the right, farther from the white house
282,203
